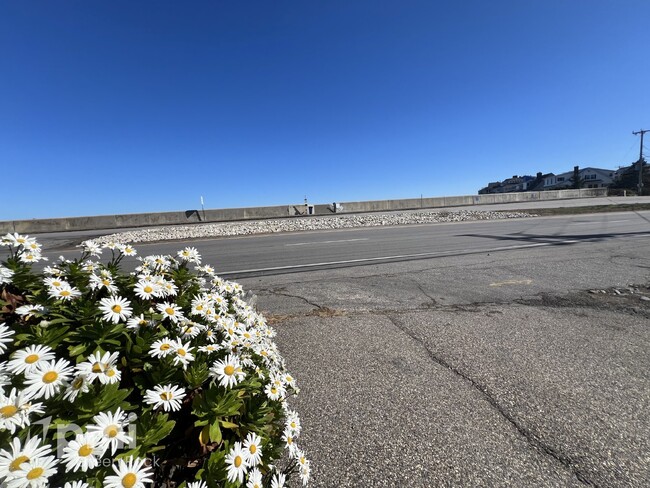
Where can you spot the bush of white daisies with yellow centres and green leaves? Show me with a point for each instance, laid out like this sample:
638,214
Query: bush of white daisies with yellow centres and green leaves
163,376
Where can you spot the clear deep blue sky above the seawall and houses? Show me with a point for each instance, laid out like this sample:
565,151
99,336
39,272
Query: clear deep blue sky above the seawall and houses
143,106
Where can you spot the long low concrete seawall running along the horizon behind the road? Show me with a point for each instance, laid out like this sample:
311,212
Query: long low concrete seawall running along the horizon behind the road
281,211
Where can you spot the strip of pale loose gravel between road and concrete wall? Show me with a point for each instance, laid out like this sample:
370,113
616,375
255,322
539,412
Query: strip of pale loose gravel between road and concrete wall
227,229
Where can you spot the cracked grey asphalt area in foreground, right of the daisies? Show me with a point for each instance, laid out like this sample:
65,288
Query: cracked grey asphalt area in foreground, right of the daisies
482,370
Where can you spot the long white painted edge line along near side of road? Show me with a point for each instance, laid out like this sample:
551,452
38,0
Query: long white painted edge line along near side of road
400,256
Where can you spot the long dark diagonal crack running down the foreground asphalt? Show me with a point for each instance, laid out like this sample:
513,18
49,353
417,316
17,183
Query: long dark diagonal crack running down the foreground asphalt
531,438
